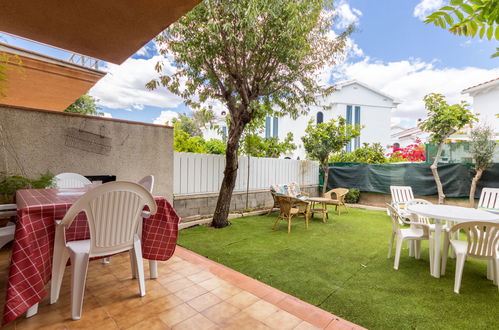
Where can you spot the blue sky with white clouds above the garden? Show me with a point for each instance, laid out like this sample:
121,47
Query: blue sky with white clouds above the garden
391,50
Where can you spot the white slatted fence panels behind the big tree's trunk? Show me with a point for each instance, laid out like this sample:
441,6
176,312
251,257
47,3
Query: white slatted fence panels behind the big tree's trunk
203,173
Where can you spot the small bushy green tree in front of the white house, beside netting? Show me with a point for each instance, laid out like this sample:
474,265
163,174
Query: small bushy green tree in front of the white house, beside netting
325,139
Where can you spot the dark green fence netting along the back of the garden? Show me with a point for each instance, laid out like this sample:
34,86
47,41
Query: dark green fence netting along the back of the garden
456,178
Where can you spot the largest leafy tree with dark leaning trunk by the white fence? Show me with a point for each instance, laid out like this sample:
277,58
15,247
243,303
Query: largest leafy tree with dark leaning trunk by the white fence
253,56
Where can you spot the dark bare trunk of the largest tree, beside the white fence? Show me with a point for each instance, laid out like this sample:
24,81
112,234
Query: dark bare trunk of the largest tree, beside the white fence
230,174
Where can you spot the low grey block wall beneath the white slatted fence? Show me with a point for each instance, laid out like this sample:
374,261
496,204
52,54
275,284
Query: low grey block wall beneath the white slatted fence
192,206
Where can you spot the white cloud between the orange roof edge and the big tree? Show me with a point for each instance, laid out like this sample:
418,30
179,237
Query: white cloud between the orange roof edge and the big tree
124,86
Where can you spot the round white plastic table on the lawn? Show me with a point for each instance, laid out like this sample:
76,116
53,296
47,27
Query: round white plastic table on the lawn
450,213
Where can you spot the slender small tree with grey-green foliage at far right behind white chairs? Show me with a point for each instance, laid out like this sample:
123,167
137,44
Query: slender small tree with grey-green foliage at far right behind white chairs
482,146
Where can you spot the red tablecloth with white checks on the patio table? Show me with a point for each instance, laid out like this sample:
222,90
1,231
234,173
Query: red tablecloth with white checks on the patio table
31,264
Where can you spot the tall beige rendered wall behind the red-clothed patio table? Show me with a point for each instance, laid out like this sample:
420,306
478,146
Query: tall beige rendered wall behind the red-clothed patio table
33,142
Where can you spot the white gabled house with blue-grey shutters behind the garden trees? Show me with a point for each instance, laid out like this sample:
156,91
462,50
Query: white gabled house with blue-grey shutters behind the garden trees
357,102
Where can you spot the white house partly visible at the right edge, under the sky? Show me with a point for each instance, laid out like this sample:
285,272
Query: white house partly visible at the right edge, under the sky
486,102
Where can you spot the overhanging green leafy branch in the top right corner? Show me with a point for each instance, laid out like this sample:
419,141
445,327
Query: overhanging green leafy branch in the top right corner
469,18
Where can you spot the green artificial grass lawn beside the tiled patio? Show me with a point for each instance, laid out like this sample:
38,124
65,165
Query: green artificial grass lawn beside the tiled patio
342,267
